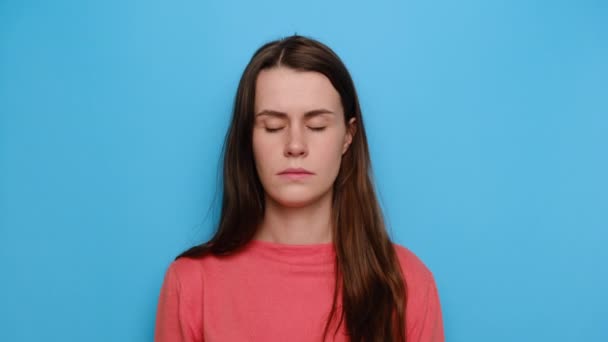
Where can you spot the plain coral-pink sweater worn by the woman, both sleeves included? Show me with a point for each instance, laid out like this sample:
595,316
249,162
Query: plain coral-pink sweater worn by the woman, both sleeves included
275,292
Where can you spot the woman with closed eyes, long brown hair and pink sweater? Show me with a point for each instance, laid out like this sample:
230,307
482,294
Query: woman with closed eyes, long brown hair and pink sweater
301,252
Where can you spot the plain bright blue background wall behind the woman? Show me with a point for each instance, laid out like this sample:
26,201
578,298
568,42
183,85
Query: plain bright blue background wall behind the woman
487,121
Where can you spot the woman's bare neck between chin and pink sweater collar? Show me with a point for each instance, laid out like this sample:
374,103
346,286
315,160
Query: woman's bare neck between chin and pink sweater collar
309,224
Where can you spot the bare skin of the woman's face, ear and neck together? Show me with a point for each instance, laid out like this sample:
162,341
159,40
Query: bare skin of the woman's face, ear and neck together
298,211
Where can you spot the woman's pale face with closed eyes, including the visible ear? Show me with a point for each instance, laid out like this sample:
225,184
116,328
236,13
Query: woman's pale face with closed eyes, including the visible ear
299,123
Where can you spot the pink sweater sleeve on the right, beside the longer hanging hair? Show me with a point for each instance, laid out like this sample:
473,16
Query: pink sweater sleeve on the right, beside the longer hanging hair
428,322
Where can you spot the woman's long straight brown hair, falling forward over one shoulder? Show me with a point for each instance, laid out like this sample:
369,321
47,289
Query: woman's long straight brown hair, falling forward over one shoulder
368,274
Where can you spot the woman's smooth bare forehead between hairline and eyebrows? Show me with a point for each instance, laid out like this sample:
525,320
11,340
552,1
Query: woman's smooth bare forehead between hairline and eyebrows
294,92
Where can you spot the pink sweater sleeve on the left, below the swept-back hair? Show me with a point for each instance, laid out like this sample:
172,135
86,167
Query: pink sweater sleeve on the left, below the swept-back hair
171,321
